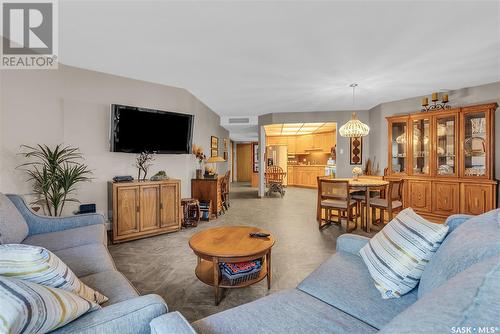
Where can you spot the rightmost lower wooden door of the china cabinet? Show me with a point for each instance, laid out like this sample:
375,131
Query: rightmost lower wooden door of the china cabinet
475,199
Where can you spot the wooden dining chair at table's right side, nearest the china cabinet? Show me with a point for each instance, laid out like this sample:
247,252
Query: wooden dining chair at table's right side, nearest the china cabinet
393,202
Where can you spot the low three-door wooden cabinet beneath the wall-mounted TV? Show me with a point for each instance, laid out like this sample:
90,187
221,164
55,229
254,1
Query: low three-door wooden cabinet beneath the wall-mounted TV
142,209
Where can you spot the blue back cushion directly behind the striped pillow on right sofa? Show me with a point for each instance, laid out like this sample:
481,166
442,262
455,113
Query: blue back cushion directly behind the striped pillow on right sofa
472,241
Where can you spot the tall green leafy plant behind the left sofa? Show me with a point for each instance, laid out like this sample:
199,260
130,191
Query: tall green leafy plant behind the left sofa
55,173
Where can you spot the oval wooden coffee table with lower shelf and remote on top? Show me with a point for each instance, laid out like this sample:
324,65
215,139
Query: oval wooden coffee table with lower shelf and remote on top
230,244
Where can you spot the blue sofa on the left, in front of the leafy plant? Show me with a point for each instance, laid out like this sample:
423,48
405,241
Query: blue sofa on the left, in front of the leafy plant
81,242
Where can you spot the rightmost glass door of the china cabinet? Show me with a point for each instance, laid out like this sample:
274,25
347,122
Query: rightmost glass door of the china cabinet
474,144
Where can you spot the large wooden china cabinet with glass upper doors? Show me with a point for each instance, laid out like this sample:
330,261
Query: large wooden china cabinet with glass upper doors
446,158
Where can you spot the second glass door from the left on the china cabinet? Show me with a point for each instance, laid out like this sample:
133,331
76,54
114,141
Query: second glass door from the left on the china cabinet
421,146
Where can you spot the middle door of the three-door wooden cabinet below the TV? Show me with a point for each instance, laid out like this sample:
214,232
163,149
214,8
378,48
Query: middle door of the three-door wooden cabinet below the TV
150,207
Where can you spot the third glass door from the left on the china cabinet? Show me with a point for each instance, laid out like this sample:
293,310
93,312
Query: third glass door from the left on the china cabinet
446,150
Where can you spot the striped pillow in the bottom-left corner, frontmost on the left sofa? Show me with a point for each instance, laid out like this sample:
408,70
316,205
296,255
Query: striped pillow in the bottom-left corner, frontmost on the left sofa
27,307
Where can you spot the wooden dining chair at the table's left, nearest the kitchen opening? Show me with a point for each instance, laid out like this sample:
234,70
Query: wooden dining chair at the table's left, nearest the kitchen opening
334,195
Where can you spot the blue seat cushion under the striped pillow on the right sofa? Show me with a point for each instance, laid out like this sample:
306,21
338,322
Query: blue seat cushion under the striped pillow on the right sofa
344,282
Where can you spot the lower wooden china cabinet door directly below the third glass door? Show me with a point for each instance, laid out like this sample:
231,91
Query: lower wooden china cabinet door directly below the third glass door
445,198
